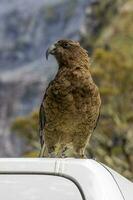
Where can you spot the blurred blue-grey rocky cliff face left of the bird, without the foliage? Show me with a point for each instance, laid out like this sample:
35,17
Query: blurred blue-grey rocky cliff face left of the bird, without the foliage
27,28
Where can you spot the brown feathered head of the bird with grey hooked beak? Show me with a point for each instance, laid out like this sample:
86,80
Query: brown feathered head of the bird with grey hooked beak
68,53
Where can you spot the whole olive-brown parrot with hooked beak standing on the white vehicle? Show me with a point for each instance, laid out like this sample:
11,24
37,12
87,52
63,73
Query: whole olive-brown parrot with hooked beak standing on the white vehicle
71,104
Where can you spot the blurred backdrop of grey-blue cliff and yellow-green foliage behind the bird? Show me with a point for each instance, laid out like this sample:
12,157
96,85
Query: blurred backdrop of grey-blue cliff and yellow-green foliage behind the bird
105,29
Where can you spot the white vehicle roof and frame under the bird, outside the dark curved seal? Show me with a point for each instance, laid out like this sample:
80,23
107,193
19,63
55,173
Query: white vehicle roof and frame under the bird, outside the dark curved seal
95,180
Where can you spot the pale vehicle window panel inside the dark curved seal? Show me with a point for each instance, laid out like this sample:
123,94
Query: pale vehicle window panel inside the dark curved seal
37,187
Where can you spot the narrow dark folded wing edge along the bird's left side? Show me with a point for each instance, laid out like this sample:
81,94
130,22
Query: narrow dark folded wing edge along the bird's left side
42,120
